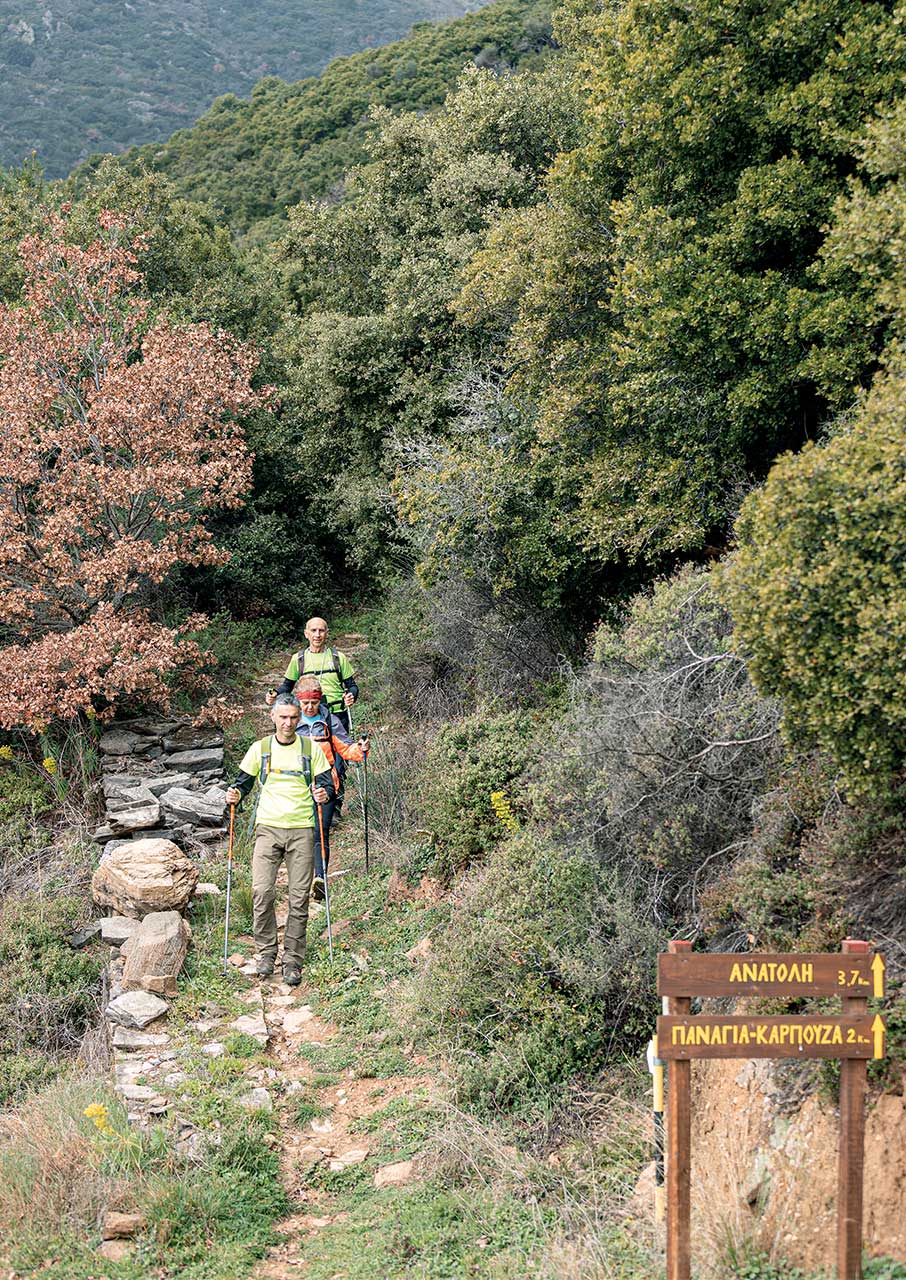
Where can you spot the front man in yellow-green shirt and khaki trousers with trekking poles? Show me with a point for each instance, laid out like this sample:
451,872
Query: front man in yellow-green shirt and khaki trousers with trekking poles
295,776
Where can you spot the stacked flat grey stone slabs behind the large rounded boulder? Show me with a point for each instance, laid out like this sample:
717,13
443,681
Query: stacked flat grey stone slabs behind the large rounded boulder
162,779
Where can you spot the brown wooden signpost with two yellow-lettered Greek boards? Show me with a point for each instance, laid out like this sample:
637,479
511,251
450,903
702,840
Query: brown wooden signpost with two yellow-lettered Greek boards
855,1037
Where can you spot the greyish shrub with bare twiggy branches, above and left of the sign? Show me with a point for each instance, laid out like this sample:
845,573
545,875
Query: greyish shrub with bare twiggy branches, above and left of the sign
669,746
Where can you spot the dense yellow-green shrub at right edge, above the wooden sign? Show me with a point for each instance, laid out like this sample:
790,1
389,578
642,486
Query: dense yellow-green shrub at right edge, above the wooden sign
818,593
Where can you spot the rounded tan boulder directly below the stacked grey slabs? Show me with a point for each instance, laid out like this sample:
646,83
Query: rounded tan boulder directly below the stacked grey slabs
145,876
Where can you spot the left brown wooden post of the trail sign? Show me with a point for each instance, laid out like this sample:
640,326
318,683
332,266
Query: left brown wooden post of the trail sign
679,1144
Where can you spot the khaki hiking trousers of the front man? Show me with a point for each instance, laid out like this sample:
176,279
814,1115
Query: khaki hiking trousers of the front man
272,847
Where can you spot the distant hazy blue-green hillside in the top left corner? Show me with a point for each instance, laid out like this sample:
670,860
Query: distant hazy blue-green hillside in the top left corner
103,76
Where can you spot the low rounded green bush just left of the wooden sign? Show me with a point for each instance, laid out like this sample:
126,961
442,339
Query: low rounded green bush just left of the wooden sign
544,972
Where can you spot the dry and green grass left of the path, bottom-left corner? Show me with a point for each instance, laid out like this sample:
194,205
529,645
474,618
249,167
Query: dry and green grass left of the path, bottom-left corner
207,1220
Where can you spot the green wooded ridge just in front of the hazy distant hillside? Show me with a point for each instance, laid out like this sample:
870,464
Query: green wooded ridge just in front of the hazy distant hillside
255,158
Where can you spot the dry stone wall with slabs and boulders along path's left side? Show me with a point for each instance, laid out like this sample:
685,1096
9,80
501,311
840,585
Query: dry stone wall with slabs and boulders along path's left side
164,808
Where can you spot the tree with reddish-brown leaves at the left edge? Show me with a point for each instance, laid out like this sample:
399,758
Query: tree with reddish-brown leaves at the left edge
120,437
